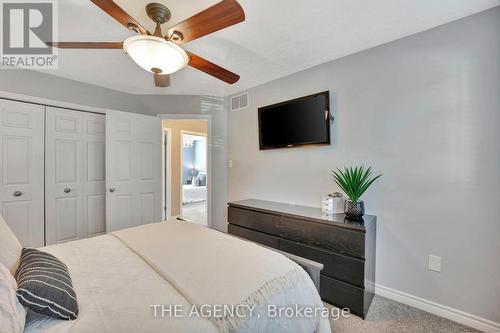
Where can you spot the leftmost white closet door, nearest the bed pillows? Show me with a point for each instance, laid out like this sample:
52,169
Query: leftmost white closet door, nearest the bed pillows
21,170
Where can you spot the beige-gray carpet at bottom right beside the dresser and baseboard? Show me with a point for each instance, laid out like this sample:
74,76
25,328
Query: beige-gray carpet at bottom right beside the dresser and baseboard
387,316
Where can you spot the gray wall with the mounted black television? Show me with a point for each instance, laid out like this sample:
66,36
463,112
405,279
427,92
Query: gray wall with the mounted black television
424,111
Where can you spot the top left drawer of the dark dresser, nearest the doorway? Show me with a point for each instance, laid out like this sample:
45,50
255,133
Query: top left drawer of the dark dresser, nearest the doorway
250,219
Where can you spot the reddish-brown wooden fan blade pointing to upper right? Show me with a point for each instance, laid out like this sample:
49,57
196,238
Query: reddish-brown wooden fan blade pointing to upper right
217,17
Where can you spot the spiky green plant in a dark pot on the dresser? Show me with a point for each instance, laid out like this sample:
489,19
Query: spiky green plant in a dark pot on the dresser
354,182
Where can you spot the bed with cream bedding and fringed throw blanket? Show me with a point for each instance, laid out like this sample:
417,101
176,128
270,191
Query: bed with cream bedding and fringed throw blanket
122,278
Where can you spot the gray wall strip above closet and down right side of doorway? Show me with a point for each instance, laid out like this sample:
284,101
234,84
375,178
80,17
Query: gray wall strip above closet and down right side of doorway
44,86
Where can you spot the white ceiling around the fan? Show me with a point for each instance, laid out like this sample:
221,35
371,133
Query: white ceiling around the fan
278,37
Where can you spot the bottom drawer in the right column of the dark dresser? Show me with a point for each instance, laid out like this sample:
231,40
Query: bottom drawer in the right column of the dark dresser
342,295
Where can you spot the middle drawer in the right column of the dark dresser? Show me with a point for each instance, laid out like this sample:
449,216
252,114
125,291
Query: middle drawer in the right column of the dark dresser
337,266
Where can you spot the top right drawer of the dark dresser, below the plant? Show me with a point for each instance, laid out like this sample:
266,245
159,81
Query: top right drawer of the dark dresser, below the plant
335,239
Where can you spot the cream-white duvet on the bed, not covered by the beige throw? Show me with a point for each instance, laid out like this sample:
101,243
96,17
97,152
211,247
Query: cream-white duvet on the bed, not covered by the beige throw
117,290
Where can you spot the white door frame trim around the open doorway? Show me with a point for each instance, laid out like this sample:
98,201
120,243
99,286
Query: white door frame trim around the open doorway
208,118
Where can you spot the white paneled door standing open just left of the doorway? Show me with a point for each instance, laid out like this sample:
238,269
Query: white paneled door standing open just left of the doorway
133,170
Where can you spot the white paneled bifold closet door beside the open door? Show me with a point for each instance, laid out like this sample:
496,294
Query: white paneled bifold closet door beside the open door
75,175
